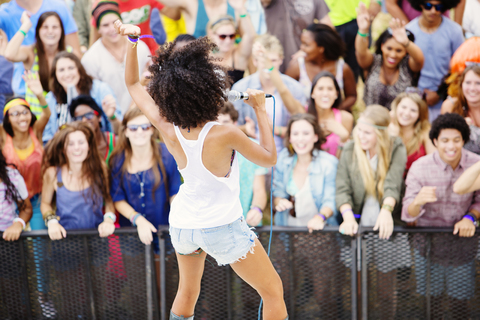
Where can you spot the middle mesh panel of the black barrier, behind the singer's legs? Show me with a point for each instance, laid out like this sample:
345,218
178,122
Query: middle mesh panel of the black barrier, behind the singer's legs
315,269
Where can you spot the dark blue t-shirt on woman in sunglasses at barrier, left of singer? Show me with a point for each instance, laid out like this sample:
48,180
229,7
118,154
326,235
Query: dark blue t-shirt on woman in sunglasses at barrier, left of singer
155,208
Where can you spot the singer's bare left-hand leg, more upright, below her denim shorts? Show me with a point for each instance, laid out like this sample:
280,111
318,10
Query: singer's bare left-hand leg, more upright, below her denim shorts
191,271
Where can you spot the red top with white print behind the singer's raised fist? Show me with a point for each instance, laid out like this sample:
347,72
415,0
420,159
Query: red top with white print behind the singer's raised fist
138,12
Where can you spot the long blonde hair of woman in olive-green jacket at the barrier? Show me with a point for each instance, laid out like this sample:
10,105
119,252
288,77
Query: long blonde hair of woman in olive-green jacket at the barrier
378,116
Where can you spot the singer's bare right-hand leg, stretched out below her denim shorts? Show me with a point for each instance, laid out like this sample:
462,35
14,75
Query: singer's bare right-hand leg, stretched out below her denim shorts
257,270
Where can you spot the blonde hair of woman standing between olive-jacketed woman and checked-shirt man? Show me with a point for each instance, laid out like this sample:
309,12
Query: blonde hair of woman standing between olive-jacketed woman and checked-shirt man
421,126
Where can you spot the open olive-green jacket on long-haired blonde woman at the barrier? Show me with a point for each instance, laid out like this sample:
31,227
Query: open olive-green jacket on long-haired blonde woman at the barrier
349,183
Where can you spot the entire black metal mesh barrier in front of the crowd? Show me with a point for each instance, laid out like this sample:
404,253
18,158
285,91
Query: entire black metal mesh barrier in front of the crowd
417,274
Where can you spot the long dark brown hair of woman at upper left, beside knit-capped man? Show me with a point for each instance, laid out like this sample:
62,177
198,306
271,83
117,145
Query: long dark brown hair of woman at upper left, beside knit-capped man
43,70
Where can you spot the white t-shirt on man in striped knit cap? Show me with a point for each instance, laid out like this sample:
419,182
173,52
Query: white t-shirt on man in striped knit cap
100,64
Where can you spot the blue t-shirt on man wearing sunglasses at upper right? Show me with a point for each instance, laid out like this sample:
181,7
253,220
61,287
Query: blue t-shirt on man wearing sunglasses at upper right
438,48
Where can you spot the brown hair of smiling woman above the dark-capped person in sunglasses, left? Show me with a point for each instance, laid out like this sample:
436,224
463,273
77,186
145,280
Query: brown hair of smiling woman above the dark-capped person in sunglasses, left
84,84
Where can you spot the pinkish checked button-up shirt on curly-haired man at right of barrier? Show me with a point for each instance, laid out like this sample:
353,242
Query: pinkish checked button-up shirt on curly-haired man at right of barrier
450,207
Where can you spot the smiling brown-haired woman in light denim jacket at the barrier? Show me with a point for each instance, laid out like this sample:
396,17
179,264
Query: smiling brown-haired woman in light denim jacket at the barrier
304,179
